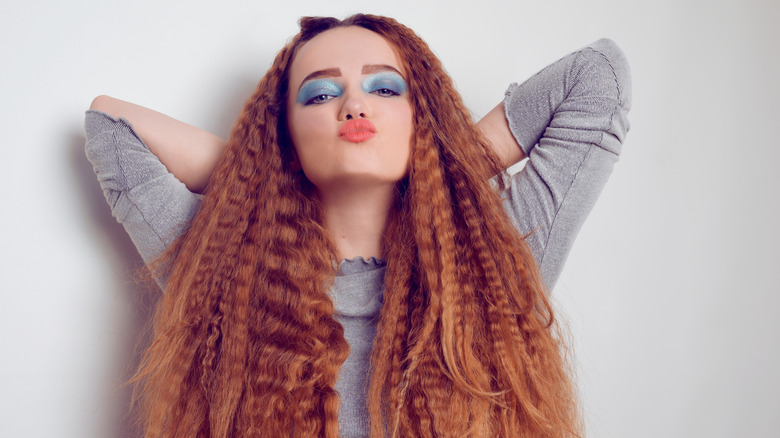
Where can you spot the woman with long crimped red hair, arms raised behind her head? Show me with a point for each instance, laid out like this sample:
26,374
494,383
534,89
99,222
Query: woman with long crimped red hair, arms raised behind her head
351,269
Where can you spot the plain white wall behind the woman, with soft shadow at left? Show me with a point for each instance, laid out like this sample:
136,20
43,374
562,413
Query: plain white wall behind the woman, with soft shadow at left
671,293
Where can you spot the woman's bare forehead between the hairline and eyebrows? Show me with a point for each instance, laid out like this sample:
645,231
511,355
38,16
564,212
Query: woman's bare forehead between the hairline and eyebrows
346,48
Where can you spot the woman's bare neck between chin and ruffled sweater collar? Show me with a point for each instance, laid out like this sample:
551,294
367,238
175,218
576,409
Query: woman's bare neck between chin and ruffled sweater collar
356,218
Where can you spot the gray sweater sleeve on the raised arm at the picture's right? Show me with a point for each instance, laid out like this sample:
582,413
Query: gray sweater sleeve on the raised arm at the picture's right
570,119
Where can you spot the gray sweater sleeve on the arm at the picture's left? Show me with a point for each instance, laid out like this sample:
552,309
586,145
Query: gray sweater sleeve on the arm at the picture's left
153,206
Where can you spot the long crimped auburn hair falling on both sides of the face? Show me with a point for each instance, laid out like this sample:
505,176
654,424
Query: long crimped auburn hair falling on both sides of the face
245,343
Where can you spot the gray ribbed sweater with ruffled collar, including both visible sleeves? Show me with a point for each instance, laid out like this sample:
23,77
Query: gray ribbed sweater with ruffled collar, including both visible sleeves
569,119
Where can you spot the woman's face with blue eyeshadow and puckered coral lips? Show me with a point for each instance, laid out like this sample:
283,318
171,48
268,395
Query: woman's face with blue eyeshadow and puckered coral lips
348,110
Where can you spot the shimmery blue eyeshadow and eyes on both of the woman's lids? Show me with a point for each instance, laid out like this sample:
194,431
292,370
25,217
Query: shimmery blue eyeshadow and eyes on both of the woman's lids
322,90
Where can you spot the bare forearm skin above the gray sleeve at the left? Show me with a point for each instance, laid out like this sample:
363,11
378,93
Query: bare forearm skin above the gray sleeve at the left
189,153
